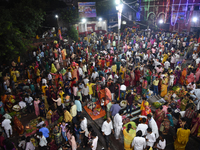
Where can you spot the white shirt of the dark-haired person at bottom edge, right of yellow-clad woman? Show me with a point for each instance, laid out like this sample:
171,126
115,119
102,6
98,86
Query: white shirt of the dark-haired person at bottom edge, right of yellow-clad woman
139,143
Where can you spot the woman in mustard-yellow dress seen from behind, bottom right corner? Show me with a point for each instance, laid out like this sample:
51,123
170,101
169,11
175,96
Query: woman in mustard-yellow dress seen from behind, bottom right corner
182,134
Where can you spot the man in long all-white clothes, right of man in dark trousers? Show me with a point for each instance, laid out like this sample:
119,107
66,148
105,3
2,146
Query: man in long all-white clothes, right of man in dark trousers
118,124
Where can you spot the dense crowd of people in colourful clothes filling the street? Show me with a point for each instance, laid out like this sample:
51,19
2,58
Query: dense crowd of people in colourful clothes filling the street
58,79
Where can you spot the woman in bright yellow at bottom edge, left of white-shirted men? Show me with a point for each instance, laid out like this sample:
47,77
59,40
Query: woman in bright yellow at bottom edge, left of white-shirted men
129,134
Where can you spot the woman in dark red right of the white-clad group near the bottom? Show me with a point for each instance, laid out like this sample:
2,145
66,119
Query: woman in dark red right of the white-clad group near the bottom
159,116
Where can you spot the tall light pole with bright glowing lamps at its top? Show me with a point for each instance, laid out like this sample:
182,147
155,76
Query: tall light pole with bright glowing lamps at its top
119,8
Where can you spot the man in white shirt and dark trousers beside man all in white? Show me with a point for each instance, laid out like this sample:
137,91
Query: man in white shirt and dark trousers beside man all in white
106,129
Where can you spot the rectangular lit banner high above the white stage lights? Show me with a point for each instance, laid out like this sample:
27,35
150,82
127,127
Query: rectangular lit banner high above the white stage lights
87,9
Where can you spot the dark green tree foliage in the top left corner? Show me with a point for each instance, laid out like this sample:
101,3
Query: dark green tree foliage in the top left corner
18,24
